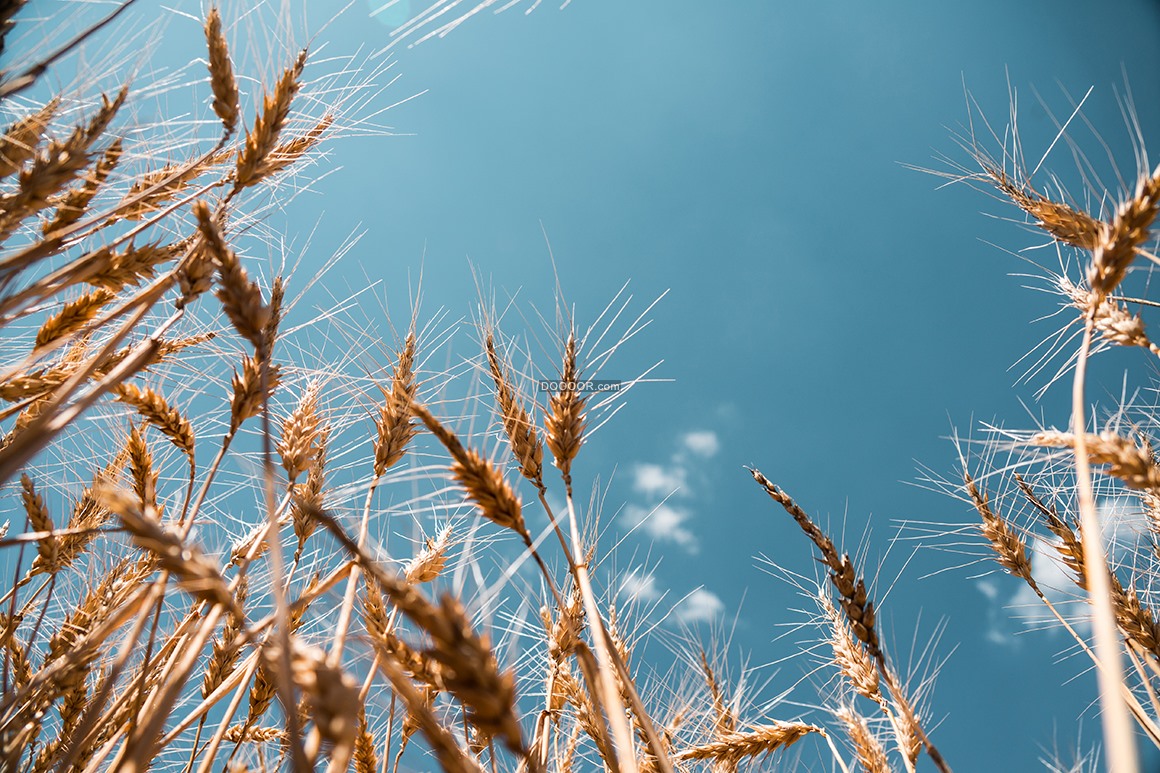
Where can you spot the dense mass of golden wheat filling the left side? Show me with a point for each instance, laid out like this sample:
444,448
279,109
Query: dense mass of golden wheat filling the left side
192,586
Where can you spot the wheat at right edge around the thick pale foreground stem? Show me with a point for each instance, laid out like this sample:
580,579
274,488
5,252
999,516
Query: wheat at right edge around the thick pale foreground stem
1079,505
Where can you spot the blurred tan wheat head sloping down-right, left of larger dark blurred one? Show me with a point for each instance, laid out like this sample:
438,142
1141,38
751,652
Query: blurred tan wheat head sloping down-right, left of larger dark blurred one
197,574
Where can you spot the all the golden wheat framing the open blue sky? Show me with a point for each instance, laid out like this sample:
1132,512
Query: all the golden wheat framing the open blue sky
209,554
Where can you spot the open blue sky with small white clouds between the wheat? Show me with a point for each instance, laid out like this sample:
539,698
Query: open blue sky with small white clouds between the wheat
830,315
